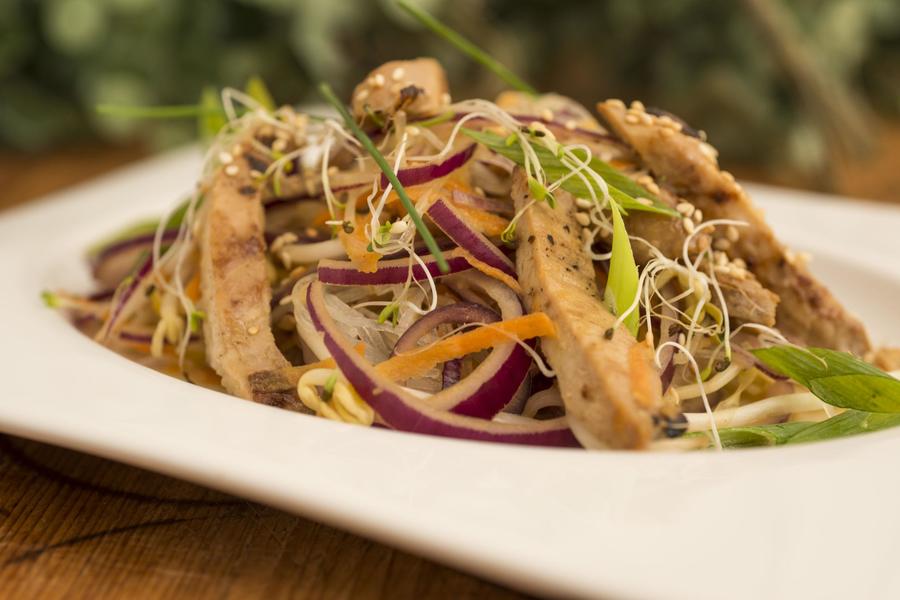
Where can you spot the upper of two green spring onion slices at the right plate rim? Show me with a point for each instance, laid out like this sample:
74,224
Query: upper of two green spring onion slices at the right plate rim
837,378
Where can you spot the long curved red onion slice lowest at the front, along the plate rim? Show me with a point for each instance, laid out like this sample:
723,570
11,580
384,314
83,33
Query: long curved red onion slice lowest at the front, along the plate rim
402,411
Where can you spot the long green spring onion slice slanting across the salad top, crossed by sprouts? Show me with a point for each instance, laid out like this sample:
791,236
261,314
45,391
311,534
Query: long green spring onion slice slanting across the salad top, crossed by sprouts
621,188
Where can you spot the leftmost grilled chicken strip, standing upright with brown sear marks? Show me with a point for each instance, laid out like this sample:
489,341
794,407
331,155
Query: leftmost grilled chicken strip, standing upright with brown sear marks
235,285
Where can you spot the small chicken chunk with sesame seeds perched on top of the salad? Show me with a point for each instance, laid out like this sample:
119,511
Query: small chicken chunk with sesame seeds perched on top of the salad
417,86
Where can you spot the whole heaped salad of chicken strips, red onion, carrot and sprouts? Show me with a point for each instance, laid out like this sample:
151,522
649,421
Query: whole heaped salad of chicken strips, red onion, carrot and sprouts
518,270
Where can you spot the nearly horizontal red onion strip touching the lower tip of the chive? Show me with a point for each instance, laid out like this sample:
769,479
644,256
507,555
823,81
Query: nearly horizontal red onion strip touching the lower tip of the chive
389,272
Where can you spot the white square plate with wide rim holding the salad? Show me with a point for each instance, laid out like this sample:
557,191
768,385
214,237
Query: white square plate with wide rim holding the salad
809,521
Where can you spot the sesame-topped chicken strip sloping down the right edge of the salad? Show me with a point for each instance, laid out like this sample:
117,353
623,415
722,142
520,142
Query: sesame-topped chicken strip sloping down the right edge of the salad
807,313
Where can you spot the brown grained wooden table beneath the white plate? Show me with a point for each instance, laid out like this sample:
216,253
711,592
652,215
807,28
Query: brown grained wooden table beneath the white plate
76,526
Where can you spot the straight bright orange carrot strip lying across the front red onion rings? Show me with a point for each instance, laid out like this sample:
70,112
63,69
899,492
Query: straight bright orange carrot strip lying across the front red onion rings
415,363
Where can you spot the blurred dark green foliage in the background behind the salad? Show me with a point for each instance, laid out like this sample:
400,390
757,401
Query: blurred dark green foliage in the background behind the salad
772,81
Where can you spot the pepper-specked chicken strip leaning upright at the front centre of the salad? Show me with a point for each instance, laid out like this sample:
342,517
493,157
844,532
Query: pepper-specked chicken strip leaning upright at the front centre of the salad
610,385
